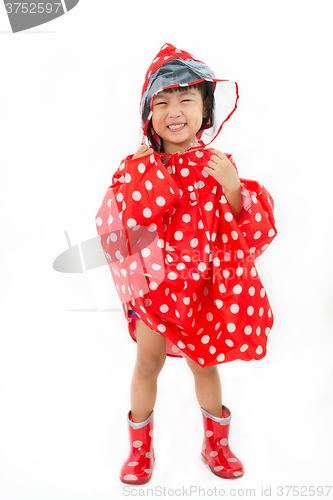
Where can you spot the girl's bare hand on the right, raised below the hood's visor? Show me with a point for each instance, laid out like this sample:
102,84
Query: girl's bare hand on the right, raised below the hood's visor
223,171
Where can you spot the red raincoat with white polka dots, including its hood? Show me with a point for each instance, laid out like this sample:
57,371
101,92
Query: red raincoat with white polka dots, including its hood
177,256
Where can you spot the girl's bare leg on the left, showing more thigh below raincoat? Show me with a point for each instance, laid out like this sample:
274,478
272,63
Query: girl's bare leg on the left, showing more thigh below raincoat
151,353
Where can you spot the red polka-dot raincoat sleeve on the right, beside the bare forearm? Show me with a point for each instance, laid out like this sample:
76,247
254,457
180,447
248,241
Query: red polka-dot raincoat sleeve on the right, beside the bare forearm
257,223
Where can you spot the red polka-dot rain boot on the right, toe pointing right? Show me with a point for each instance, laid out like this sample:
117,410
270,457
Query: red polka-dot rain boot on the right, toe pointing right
215,448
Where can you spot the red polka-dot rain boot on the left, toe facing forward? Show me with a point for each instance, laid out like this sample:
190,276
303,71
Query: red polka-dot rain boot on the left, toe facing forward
138,467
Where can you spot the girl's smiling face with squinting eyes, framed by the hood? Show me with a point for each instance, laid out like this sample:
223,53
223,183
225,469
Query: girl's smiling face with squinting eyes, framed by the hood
177,117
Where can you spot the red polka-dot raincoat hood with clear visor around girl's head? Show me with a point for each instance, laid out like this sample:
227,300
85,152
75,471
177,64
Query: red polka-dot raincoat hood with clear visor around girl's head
174,67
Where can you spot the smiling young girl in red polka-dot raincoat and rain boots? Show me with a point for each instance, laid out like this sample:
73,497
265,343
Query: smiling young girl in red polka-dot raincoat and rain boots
181,232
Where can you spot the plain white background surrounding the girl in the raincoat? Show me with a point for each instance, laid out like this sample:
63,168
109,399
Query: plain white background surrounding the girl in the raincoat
69,100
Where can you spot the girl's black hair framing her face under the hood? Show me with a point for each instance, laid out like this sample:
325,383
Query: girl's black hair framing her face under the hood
207,92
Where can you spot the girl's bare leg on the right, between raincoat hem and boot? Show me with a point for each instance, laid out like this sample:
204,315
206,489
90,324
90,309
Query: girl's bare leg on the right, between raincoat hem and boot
207,387
